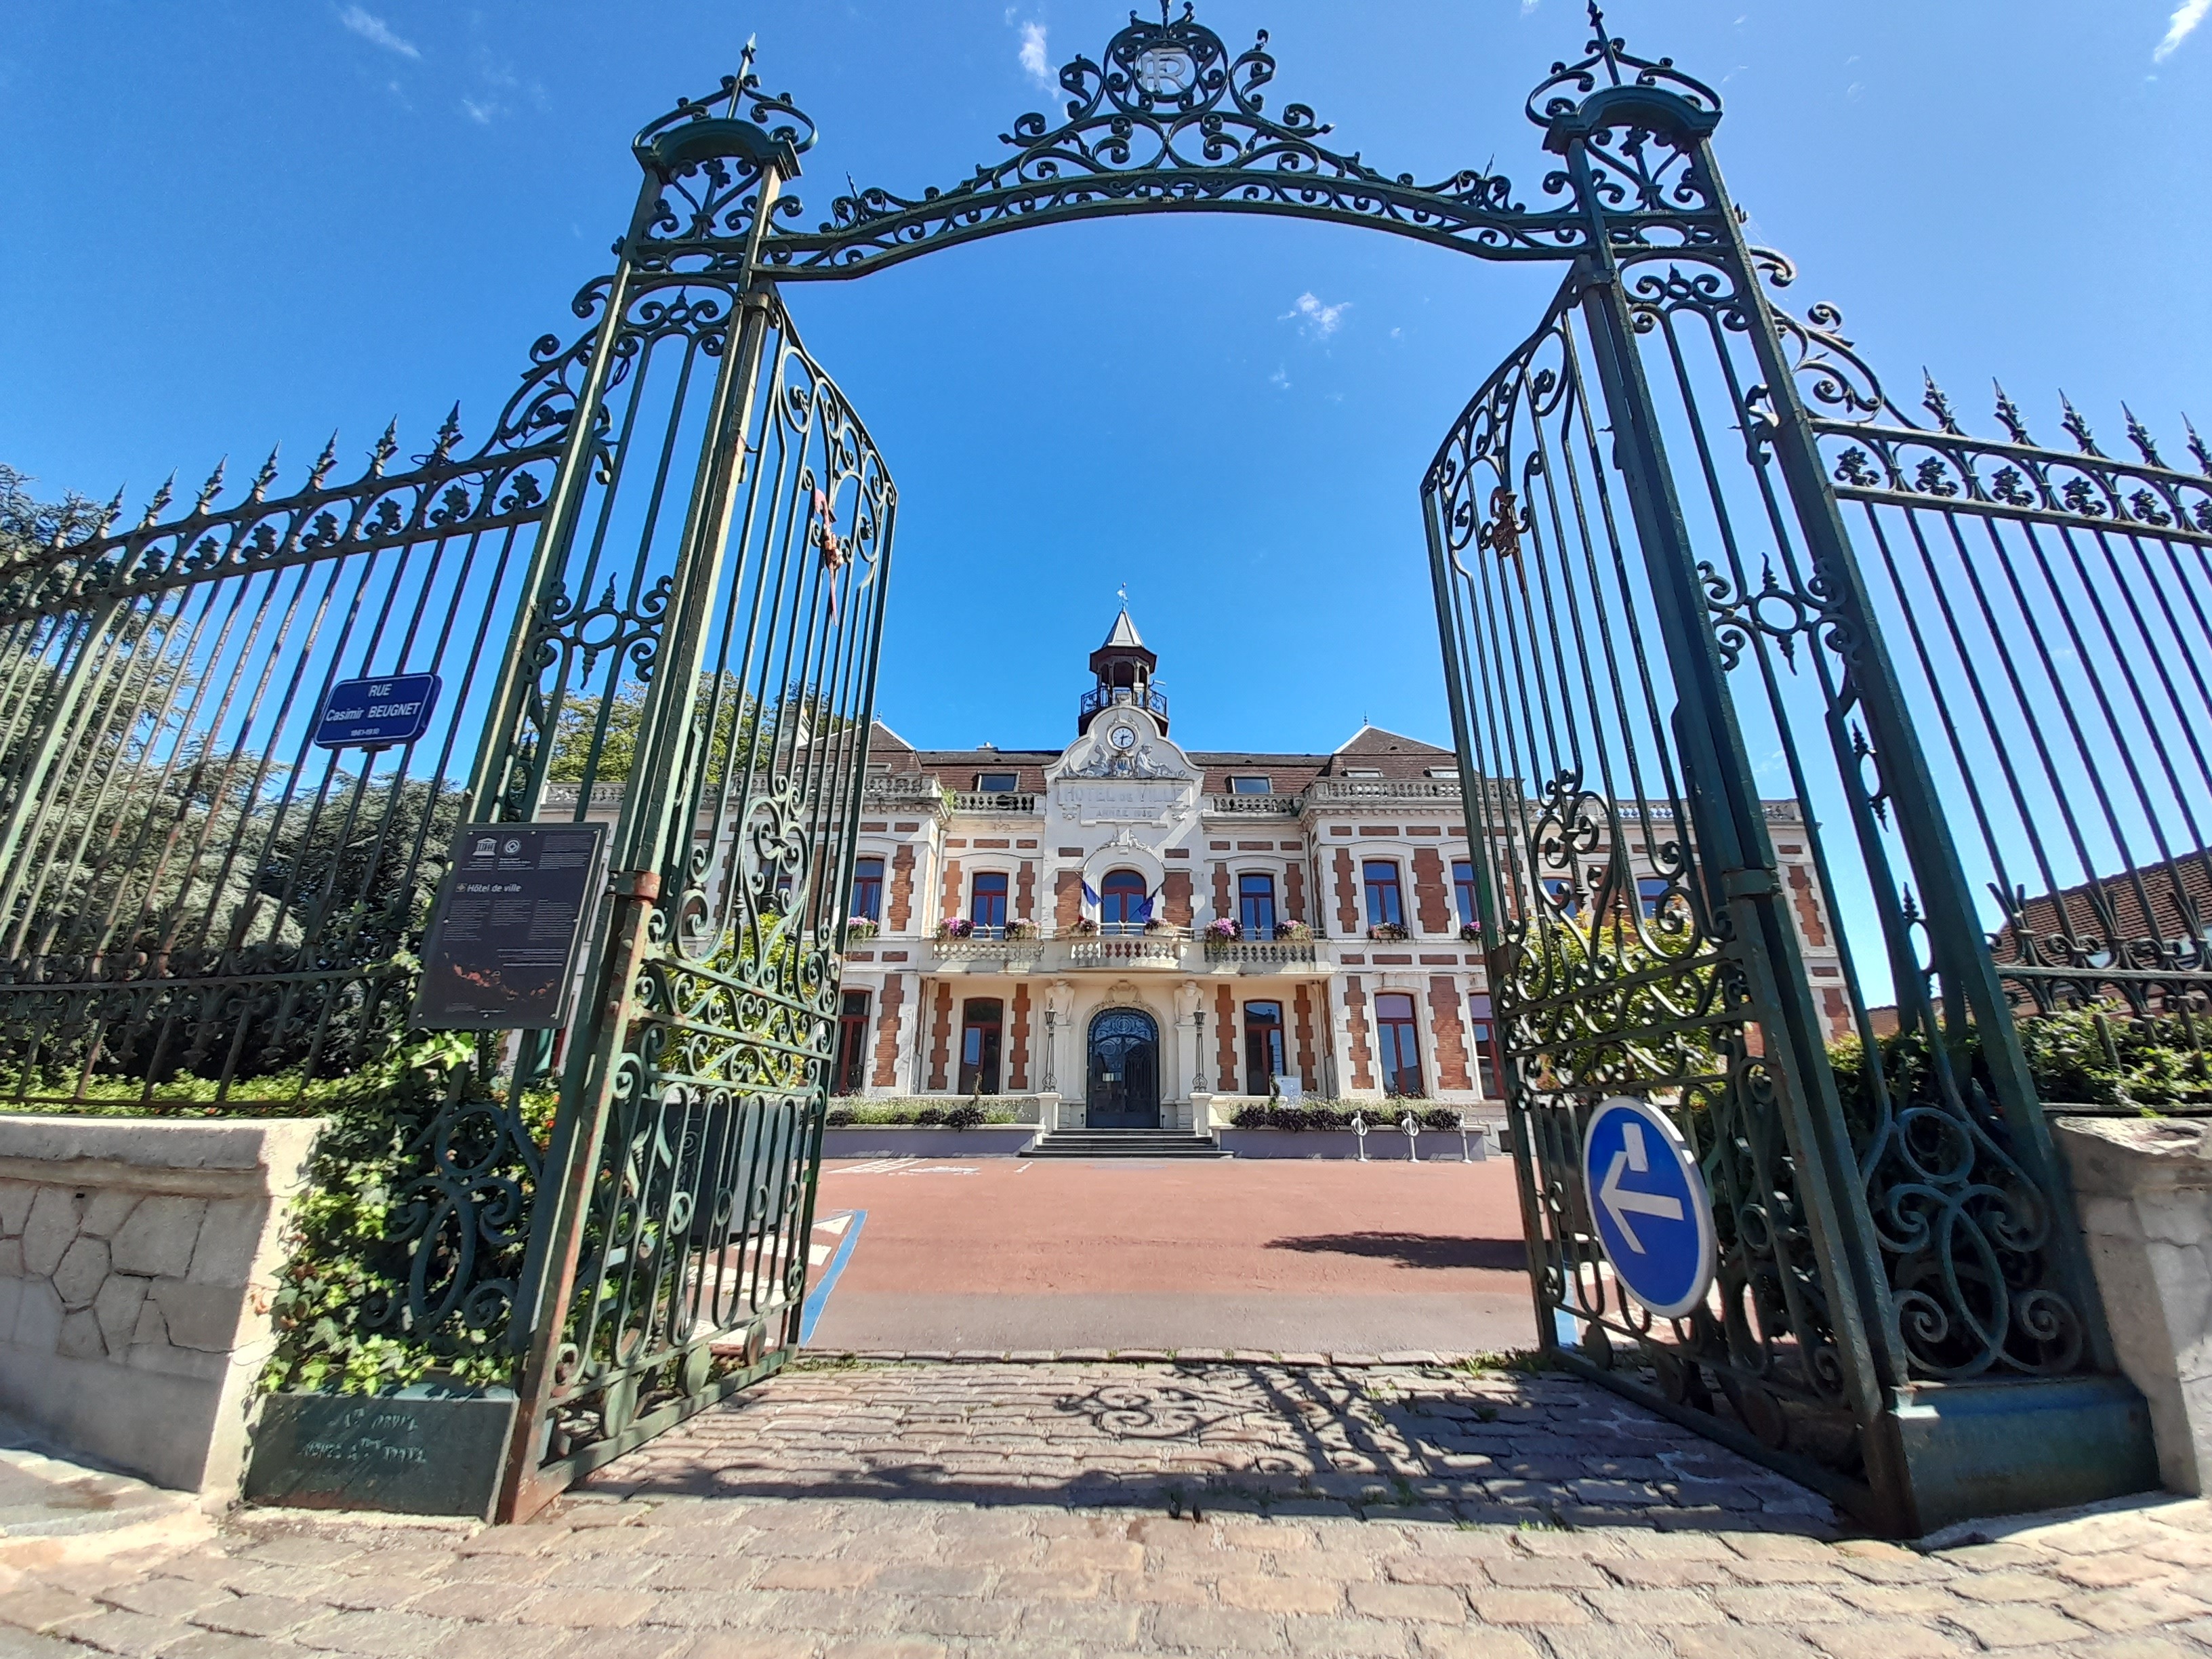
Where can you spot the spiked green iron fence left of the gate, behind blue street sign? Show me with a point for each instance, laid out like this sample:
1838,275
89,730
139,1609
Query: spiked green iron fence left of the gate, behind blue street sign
196,899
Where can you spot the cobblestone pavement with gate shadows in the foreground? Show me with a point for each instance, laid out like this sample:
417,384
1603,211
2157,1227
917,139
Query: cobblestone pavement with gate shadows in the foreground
1083,1512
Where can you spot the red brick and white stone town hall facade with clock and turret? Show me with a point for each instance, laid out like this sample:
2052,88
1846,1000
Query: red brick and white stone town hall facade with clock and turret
1193,826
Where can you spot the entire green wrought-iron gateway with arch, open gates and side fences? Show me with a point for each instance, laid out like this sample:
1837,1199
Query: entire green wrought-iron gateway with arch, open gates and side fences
1691,563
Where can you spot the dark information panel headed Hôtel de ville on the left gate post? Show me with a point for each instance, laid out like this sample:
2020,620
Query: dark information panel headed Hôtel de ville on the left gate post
503,943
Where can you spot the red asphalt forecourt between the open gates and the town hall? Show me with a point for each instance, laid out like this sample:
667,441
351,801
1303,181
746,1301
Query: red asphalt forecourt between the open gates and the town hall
1331,1258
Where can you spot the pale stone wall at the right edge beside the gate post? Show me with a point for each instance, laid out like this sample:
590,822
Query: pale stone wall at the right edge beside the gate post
2145,1193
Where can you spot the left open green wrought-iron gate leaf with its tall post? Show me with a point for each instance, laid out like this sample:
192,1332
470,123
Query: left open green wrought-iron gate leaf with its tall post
733,517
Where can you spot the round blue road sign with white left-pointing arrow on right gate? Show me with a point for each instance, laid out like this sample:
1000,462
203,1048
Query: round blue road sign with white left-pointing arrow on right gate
1649,1204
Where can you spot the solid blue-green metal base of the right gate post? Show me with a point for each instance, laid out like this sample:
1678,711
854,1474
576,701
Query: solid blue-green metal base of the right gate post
1957,1452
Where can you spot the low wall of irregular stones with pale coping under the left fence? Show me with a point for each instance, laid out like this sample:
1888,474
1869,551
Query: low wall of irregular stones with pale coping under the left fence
136,1271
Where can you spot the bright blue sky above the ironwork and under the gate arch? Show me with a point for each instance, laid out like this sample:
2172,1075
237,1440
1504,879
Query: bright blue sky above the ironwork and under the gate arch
236,225
